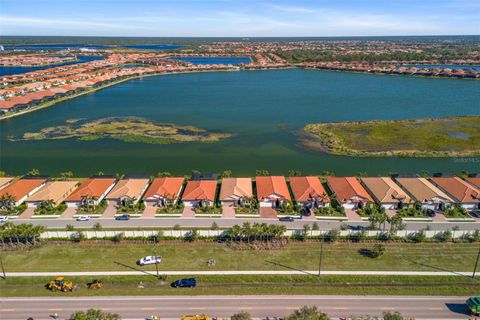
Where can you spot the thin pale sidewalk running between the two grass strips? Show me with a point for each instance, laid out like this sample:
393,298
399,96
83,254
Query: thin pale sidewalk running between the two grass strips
239,272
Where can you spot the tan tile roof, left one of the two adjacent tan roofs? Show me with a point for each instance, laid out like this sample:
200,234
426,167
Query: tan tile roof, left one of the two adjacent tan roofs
385,190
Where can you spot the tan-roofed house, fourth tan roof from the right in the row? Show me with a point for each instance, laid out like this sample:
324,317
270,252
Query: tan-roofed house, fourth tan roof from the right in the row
127,191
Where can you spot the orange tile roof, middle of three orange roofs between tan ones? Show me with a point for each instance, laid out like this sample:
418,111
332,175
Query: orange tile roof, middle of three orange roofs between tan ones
308,189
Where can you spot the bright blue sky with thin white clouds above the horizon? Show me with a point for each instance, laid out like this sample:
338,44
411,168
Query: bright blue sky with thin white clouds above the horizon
244,18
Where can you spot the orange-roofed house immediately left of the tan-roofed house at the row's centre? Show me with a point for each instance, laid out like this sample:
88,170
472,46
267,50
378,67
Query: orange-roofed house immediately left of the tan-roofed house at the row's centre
199,192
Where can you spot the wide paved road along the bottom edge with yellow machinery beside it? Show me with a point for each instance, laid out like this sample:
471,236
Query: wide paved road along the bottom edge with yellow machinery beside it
222,306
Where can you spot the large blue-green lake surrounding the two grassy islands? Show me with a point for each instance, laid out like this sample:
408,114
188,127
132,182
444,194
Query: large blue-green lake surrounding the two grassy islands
250,104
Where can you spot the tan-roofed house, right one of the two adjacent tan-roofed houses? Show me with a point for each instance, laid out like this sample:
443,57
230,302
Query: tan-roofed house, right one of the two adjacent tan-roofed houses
424,191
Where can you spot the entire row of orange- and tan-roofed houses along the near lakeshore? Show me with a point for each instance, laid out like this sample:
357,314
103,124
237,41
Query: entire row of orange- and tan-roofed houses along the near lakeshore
436,193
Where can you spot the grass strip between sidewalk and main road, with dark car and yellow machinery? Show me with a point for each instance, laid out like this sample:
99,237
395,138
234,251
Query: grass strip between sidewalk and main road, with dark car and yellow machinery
222,285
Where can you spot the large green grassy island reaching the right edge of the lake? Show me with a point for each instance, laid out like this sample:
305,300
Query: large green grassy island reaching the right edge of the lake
443,137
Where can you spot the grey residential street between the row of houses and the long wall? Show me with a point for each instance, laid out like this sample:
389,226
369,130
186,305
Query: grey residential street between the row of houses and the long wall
222,223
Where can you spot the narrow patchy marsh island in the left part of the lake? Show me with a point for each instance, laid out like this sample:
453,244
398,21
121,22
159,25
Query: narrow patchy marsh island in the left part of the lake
127,129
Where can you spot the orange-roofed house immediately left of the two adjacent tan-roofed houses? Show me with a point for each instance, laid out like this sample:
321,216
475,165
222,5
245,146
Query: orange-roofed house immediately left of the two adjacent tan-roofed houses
349,192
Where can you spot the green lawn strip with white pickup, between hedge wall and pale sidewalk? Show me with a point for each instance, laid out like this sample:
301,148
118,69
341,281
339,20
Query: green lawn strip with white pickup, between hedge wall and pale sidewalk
179,255
